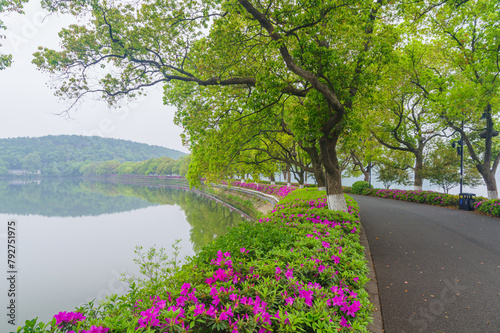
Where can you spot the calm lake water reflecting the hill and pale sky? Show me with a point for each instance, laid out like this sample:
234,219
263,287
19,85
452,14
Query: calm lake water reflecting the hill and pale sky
75,238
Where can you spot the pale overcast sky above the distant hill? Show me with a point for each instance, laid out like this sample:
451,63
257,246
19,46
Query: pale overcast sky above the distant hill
28,106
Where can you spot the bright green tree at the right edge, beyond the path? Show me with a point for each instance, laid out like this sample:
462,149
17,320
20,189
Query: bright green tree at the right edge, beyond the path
456,66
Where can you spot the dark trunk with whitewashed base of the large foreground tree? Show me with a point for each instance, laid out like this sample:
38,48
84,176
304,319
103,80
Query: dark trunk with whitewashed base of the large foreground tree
335,195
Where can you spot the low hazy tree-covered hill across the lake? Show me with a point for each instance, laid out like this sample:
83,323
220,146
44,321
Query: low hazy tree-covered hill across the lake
65,154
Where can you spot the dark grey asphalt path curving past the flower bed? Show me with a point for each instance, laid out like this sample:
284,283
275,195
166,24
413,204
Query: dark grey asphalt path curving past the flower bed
438,269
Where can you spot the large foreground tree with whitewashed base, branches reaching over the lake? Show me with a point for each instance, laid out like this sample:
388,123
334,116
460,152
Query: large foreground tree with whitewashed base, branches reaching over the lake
322,52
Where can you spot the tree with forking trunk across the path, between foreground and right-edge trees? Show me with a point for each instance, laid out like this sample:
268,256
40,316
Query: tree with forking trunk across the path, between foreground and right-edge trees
401,119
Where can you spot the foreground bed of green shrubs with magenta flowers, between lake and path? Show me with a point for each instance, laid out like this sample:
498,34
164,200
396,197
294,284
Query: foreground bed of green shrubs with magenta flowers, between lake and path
301,268
